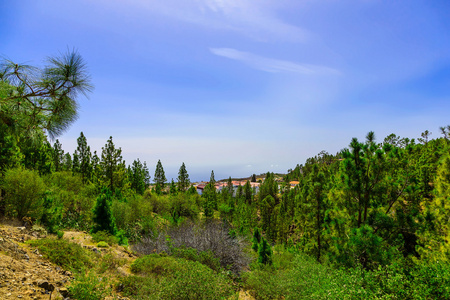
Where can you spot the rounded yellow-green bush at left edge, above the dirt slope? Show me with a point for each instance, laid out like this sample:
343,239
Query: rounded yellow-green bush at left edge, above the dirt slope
23,193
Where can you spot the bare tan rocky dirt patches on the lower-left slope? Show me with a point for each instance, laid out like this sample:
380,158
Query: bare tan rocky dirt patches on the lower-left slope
26,274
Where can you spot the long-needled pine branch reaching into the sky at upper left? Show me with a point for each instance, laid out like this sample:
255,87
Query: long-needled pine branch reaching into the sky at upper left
43,99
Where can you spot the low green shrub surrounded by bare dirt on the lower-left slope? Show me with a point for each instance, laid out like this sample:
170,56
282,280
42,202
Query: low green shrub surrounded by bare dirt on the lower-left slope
64,253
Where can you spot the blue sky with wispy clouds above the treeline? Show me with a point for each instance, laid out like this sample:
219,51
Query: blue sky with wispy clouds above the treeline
240,86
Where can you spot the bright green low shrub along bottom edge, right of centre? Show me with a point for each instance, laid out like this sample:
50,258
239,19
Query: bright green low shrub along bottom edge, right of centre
297,276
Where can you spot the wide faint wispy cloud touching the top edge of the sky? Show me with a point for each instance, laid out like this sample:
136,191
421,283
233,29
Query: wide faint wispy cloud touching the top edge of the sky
256,19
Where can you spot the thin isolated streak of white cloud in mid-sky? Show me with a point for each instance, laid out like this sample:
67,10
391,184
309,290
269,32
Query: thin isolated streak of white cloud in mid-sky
272,65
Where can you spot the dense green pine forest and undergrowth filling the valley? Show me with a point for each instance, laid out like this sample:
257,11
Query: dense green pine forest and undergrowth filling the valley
370,222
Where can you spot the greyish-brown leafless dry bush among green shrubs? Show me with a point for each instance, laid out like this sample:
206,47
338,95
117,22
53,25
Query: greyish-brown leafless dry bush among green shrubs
210,236
